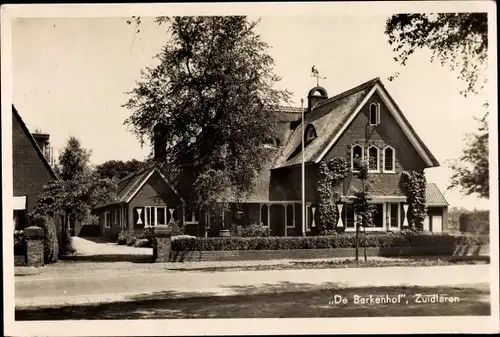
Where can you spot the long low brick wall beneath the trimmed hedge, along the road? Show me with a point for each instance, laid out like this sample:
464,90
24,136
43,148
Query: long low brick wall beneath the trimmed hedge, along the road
248,255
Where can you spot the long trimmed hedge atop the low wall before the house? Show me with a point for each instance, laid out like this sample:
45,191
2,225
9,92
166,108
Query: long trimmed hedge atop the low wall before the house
344,240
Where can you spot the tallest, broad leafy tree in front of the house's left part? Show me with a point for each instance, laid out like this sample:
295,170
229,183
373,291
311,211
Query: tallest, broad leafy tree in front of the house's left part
211,97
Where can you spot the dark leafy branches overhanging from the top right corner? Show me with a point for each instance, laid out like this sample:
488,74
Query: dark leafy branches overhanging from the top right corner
459,40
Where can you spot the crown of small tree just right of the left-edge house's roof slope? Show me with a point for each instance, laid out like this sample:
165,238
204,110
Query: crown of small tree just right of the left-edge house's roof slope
73,160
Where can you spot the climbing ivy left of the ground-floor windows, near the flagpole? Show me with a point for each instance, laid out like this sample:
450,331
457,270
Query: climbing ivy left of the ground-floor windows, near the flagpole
332,173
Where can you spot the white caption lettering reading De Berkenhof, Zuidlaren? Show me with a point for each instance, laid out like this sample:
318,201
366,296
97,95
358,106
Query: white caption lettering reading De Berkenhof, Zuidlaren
393,299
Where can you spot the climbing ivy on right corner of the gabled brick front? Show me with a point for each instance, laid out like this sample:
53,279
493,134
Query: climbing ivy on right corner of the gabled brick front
414,184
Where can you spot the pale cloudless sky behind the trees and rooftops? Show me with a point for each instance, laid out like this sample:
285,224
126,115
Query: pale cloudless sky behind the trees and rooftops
71,75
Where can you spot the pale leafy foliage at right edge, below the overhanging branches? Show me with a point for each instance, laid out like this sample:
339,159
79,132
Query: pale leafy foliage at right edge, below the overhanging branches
471,169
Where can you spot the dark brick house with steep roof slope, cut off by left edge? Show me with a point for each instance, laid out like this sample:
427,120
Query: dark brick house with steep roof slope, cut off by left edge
31,169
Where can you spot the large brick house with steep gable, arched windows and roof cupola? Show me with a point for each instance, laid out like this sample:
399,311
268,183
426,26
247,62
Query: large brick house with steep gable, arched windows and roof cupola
361,122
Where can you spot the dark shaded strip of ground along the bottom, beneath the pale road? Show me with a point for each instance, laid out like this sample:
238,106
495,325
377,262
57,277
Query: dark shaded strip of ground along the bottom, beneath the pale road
274,304
